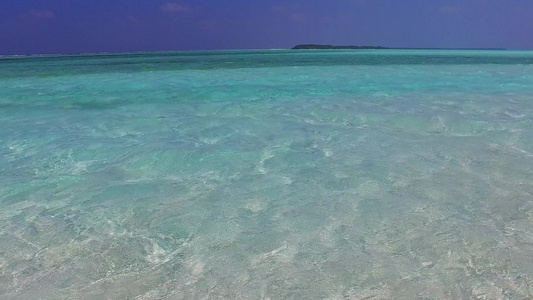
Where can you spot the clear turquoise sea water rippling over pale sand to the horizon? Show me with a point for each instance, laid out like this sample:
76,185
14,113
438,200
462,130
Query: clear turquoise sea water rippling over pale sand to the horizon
267,175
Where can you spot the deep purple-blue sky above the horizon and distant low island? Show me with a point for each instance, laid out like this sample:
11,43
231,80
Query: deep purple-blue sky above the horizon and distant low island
76,26
